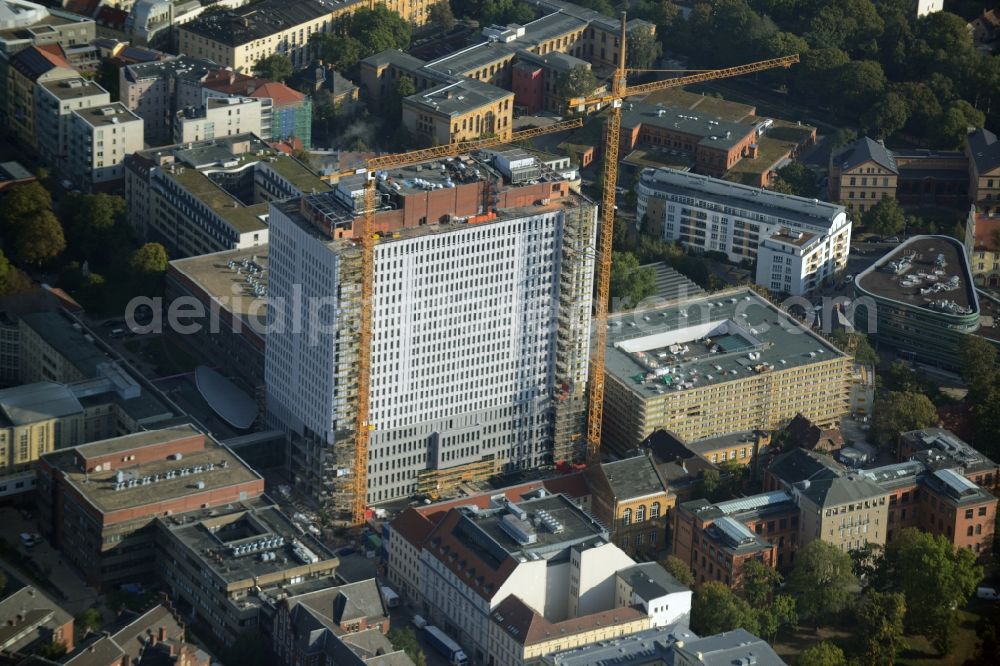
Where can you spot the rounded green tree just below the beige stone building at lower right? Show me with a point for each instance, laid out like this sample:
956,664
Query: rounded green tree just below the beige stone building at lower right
821,581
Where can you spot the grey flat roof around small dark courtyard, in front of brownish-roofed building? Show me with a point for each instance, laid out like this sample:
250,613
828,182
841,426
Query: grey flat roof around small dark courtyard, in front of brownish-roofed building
231,544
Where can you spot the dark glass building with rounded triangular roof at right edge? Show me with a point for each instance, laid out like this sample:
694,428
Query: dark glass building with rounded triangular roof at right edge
923,300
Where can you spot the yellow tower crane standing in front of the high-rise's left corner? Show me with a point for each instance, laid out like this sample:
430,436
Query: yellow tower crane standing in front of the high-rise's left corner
365,236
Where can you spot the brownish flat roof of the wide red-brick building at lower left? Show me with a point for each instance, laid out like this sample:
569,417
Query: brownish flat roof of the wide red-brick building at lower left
219,468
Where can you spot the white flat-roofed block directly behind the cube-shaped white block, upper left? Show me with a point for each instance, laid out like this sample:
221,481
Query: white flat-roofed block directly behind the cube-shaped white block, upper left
55,102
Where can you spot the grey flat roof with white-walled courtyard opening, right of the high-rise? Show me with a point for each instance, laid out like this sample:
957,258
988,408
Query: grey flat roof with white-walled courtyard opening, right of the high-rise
708,340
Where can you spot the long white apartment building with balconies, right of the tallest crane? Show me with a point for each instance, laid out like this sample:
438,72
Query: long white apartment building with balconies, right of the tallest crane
797,243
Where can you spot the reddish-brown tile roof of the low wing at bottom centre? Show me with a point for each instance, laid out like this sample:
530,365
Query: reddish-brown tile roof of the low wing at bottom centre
528,627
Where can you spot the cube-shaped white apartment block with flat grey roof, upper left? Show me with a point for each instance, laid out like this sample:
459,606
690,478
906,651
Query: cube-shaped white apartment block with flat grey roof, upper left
99,138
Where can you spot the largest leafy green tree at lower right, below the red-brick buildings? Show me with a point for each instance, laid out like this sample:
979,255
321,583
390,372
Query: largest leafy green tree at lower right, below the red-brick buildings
936,580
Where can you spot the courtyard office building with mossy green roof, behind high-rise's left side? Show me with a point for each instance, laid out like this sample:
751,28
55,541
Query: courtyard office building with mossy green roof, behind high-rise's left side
212,195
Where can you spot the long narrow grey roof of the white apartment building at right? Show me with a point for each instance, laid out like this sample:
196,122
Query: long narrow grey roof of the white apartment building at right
754,202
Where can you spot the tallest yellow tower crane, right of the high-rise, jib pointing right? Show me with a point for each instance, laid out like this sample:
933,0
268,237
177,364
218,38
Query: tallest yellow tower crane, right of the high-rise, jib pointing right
612,131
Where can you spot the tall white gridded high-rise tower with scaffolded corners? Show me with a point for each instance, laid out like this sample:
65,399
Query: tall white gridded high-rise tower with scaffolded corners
479,350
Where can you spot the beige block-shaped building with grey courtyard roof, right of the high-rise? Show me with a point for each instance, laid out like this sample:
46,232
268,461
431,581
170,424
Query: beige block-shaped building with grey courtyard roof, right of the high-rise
730,361
